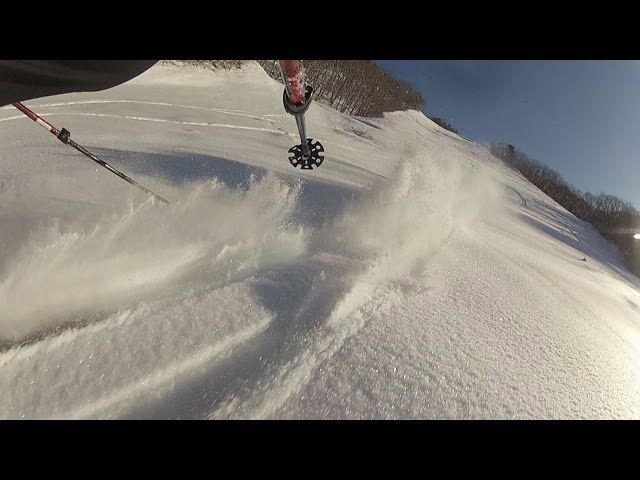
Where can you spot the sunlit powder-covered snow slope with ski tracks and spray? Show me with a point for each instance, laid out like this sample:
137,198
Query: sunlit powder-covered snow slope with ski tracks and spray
411,276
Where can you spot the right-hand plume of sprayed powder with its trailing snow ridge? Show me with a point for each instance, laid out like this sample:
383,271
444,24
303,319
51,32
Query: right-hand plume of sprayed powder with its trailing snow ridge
401,231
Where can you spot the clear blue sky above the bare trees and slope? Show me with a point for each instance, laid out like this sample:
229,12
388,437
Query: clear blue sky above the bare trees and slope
581,118
